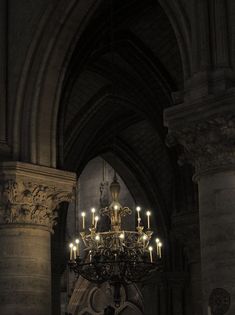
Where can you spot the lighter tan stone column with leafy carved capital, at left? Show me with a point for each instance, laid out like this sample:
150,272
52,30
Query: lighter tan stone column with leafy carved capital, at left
29,196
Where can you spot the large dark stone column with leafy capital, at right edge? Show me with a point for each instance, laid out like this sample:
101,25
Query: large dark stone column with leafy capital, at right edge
207,132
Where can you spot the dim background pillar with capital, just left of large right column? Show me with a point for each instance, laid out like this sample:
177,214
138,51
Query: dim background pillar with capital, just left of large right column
185,227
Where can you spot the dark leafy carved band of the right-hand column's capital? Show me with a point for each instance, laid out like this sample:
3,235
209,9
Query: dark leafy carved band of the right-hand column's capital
208,144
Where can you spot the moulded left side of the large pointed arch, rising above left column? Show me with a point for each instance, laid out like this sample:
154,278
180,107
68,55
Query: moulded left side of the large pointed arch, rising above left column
34,127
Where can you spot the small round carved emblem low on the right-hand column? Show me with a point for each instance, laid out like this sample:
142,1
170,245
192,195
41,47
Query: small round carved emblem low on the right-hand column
219,301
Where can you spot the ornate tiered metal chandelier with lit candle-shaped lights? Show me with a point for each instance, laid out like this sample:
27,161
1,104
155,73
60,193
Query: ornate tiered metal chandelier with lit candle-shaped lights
117,256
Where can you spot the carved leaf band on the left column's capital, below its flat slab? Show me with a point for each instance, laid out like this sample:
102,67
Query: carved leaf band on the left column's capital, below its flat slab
30,203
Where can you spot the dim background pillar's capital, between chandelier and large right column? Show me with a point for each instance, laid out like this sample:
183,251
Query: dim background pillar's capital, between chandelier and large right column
185,227
